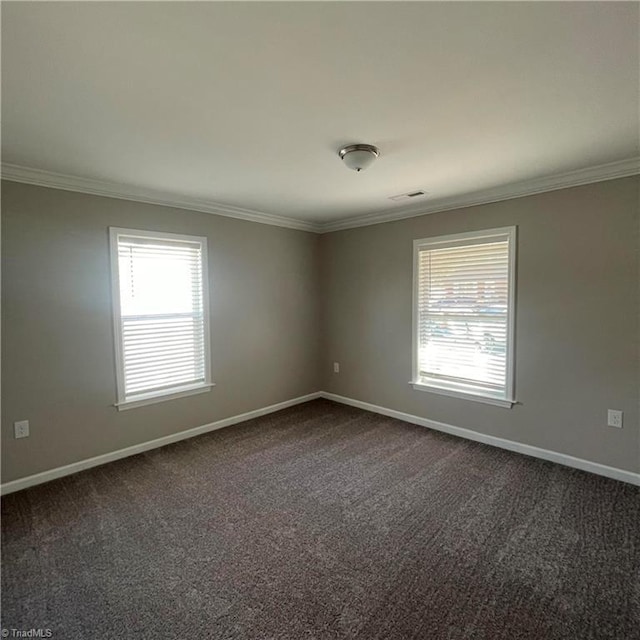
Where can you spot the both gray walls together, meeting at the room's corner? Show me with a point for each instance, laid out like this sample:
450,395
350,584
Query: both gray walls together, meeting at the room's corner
279,296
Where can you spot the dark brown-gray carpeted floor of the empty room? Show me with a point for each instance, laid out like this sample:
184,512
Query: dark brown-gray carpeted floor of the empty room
325,522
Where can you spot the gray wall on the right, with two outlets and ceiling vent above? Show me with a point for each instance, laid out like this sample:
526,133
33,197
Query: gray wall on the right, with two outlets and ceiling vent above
576,326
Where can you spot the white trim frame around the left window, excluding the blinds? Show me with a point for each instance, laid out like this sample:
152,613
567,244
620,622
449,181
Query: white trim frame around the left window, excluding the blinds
177,392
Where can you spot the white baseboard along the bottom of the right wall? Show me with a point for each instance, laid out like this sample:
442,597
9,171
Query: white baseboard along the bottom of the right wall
510,445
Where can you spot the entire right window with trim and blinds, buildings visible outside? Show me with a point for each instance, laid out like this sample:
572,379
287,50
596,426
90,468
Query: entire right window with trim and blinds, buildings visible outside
464,315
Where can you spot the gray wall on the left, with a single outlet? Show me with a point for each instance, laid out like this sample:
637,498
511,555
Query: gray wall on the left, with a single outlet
57,346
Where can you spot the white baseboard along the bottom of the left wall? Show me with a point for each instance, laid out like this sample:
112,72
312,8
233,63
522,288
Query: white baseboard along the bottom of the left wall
59,472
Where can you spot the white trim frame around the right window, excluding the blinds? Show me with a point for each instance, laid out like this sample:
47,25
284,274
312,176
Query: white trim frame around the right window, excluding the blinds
464,239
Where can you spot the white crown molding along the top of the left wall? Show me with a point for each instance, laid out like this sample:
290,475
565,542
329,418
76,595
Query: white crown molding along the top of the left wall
17,173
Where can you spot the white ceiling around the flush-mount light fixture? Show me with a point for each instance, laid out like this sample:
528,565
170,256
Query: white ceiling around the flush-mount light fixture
247,104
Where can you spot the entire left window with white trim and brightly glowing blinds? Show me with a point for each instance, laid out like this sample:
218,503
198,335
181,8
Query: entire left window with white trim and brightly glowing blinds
161,324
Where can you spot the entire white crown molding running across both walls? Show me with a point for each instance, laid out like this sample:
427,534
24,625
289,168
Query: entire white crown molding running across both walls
600,173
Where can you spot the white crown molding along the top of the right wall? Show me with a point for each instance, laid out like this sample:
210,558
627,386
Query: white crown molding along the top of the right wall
600,173
